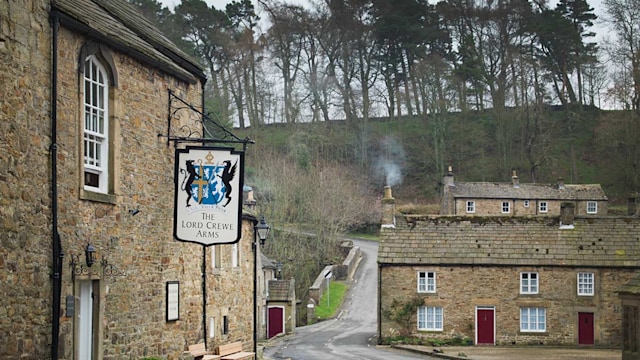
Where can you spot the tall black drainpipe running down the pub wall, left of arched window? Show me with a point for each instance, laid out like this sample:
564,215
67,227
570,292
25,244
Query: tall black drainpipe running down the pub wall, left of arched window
57,252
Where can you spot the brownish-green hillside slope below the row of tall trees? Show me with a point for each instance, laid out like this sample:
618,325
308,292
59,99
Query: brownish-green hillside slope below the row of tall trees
581,146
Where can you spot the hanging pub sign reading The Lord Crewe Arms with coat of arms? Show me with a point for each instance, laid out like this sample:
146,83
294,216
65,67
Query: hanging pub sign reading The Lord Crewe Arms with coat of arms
208,195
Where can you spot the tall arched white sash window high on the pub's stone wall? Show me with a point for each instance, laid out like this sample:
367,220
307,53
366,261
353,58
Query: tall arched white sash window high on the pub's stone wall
96,126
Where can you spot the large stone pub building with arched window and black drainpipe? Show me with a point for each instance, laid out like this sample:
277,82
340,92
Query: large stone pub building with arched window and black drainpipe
88,264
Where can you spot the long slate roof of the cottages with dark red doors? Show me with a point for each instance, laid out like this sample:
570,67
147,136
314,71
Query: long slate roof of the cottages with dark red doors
511,241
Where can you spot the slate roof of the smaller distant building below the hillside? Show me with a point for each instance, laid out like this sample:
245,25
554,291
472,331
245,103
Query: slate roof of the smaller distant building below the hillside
527,191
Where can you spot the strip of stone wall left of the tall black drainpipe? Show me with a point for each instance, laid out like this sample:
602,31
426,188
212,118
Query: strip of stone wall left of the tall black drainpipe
25,207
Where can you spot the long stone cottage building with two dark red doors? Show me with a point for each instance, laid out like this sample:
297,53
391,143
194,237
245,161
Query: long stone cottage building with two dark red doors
505,280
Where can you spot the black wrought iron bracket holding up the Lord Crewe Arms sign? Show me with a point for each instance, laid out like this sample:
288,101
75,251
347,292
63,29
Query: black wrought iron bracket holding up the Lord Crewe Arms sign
186,123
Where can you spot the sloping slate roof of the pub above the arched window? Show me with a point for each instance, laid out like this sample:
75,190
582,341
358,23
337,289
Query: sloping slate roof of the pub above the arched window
119,25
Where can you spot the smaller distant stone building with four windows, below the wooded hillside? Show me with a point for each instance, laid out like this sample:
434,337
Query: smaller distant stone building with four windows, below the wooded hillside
519,199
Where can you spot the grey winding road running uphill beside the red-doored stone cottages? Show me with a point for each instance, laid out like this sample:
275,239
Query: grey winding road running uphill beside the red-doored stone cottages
352,334
